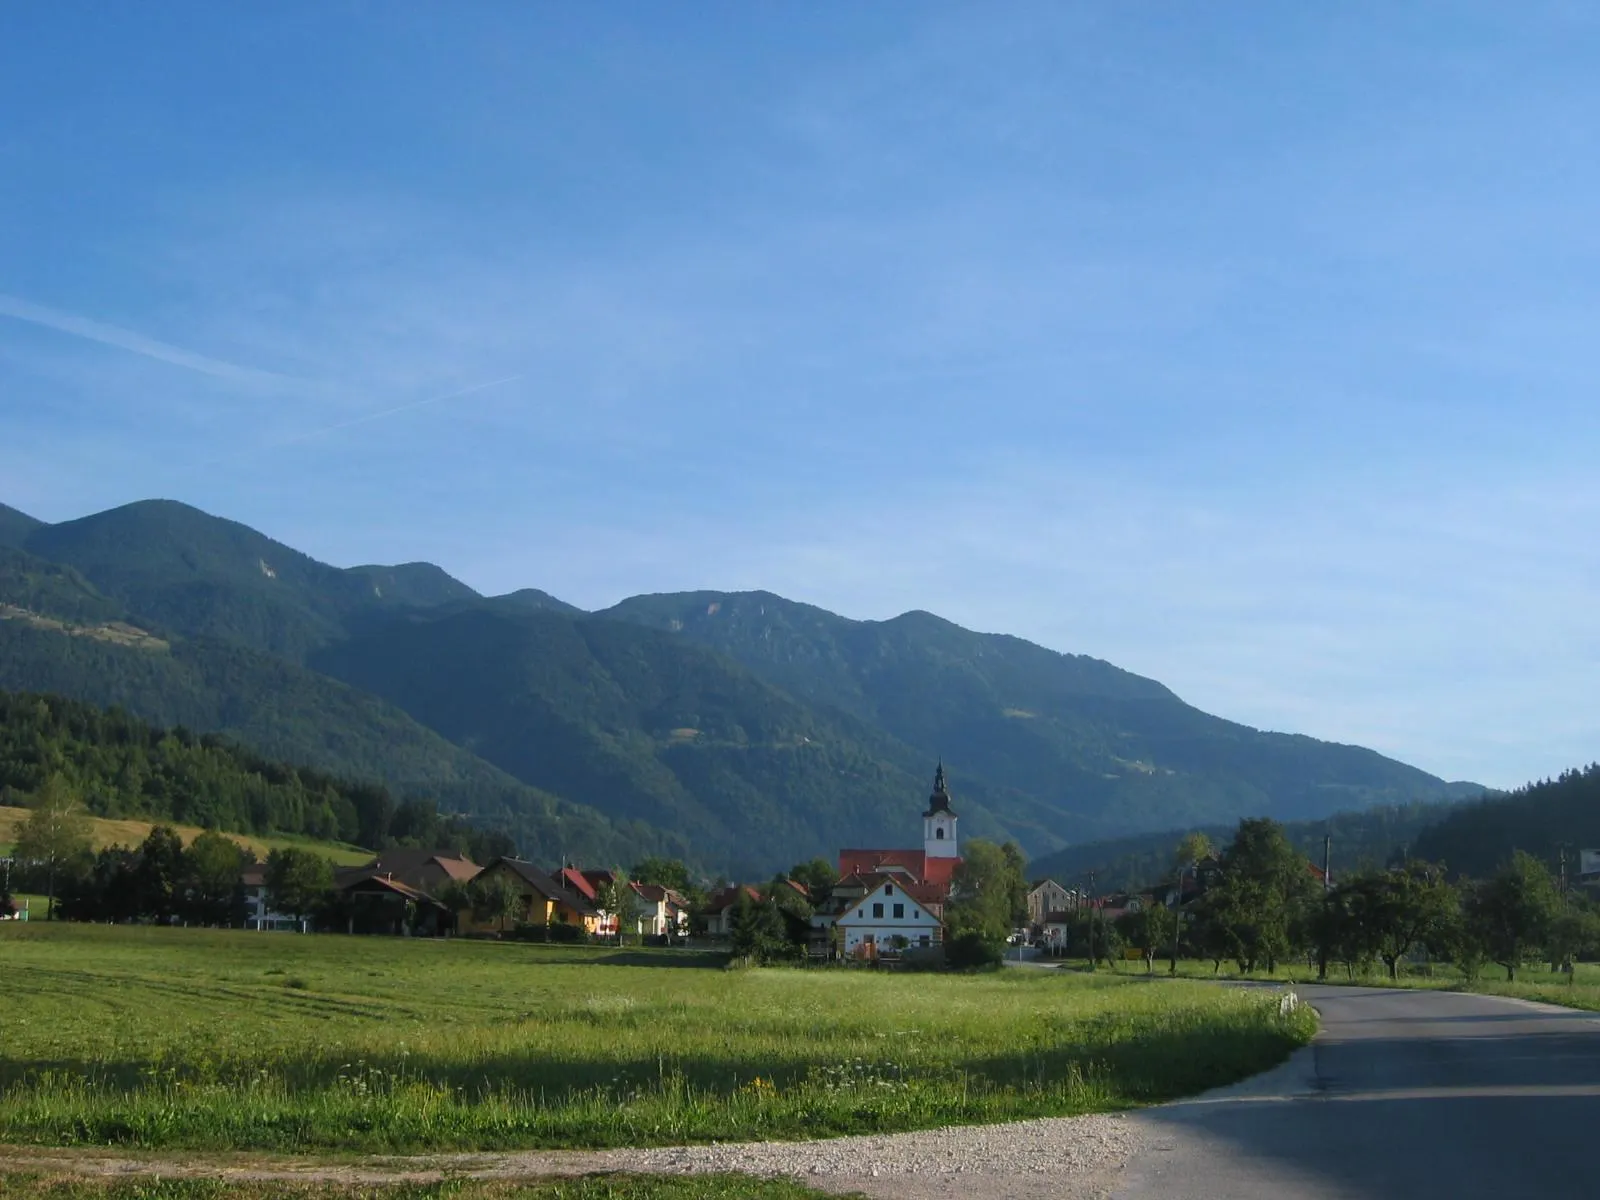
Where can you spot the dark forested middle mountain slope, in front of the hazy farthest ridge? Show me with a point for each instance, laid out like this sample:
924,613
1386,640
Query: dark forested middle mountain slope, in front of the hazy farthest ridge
666,734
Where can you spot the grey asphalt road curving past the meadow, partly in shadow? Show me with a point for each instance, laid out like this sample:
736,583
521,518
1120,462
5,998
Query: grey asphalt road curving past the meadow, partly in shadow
1404,1095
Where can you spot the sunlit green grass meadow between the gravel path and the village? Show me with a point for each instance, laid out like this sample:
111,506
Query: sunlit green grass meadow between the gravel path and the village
234,1041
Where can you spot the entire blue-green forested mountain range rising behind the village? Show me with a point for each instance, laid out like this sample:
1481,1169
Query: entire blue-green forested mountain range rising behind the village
742,732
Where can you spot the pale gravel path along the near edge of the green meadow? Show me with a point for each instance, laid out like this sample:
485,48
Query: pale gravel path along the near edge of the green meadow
1058,1158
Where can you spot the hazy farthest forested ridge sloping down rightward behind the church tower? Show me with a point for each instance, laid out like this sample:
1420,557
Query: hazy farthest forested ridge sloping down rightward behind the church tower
1068,730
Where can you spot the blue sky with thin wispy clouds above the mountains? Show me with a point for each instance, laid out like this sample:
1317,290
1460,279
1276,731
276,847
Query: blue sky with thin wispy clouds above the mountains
1247,346
